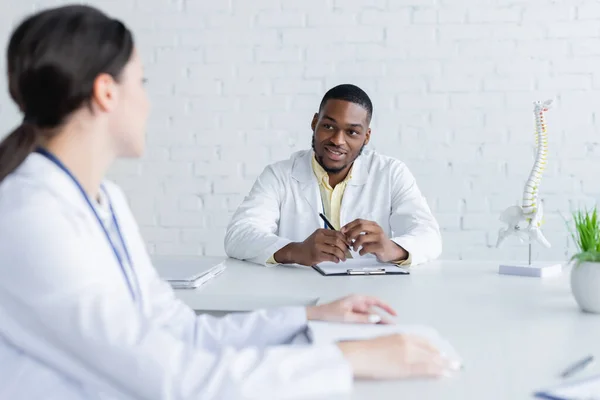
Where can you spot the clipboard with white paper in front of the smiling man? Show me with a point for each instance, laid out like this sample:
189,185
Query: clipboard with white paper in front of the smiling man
365,265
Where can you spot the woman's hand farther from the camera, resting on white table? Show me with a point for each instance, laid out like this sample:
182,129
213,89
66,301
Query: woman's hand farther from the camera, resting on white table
354,308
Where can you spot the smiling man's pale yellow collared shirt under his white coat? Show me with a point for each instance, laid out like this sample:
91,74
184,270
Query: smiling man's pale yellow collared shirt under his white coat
332,201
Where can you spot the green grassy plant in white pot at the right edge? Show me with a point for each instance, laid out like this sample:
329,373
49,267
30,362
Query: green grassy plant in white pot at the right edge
585,275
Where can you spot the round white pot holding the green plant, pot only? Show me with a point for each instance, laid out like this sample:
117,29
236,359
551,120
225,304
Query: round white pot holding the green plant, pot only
585,285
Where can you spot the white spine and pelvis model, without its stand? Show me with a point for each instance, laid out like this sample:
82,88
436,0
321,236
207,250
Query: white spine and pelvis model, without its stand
531,212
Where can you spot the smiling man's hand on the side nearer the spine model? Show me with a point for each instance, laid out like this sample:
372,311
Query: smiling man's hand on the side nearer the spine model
373,240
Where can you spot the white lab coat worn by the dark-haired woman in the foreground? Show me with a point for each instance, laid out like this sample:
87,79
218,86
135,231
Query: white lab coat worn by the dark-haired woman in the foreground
69,328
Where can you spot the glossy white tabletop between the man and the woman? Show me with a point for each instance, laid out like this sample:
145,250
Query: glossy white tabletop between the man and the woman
515,334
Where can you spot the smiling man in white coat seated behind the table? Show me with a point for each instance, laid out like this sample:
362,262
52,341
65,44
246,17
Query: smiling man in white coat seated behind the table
372,201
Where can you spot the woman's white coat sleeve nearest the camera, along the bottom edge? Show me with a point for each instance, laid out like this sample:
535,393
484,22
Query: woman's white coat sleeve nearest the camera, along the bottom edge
62,308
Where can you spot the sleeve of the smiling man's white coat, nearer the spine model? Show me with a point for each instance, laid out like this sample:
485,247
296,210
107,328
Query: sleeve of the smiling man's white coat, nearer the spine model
413,225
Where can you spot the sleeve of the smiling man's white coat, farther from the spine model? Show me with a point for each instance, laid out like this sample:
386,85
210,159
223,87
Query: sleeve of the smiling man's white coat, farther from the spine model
252,232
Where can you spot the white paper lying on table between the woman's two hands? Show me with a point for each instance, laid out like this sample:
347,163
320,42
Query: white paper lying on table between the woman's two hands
320,332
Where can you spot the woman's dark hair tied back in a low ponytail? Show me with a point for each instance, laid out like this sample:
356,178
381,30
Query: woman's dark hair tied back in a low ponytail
53,59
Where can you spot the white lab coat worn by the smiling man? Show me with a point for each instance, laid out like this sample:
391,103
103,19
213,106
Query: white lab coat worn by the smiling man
284,205
